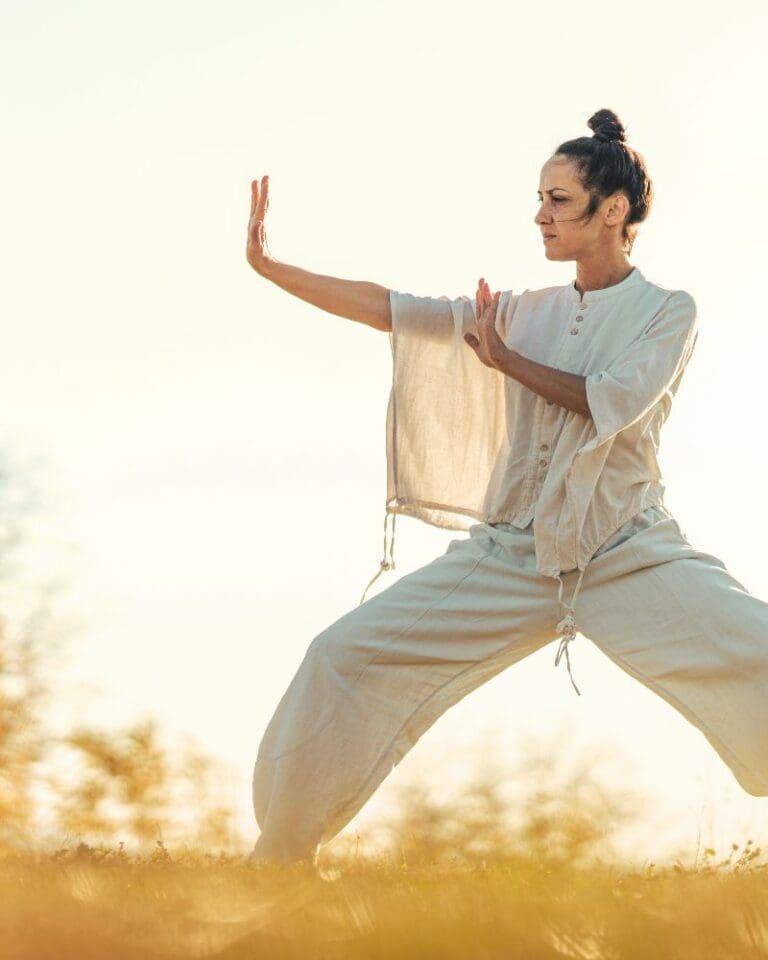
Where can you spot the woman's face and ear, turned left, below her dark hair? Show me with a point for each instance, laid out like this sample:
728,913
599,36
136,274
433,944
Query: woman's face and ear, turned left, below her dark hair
562,202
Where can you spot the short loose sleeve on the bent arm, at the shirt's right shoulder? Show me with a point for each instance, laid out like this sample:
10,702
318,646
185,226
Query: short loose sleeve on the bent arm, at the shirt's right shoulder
646,370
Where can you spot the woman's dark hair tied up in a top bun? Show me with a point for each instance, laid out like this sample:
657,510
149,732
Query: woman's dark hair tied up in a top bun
606,164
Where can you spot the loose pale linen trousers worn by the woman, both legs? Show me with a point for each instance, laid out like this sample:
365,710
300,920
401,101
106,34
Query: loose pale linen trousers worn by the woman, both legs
376,679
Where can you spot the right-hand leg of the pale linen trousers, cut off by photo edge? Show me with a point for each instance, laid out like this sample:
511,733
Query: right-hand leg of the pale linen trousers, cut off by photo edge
677,620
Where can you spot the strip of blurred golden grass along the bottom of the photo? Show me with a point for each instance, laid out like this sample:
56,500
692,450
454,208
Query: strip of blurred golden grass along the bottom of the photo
89,903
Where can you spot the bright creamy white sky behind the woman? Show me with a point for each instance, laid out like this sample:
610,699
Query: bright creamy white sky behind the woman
212,449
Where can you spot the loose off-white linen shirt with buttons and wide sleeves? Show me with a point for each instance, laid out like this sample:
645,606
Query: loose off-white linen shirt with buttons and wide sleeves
467,443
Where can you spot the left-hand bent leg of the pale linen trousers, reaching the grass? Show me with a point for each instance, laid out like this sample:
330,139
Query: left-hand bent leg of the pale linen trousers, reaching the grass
375,680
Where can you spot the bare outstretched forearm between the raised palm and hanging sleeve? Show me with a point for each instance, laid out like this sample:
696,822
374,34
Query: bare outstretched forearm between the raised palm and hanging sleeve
354,299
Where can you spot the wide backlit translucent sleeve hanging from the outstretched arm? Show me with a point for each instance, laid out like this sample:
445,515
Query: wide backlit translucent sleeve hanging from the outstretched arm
445,420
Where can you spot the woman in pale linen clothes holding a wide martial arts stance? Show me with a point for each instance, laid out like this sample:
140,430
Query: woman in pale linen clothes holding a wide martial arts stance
531,419
